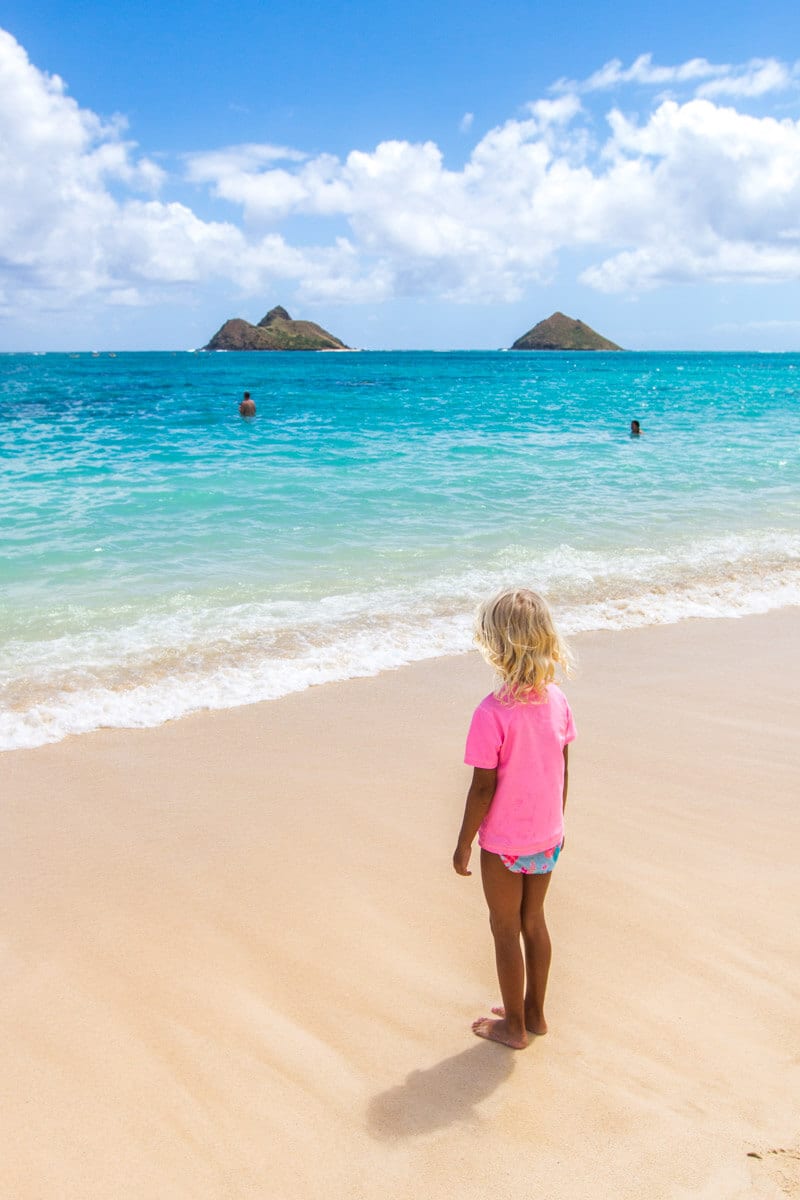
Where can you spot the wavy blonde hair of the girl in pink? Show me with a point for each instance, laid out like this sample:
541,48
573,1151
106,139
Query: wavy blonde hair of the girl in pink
516,635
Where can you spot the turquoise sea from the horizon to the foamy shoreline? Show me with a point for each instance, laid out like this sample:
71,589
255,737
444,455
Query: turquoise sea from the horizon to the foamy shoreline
161,555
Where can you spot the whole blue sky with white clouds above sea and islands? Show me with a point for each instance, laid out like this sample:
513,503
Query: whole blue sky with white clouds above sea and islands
426,176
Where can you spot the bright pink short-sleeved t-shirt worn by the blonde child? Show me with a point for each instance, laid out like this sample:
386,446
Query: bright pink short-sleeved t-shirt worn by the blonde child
526,743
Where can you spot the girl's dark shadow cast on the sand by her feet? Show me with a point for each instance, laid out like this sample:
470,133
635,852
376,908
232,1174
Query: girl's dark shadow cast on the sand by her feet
442,1095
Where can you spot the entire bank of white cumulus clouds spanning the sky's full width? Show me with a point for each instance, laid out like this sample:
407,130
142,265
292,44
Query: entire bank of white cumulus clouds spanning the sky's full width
690,190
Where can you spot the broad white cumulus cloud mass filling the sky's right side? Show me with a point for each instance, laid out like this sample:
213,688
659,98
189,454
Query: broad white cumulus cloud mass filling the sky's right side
695,191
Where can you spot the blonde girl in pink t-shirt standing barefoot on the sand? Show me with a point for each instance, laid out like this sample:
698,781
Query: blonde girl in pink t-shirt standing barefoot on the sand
518,746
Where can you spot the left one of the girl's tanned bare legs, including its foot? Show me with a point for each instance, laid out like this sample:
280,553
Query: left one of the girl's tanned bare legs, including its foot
504,896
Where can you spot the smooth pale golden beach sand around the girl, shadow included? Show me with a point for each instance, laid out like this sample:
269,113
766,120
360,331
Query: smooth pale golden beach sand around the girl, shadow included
238,963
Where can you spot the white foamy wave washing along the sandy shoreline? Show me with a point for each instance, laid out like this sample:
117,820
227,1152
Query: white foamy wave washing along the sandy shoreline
161,668
